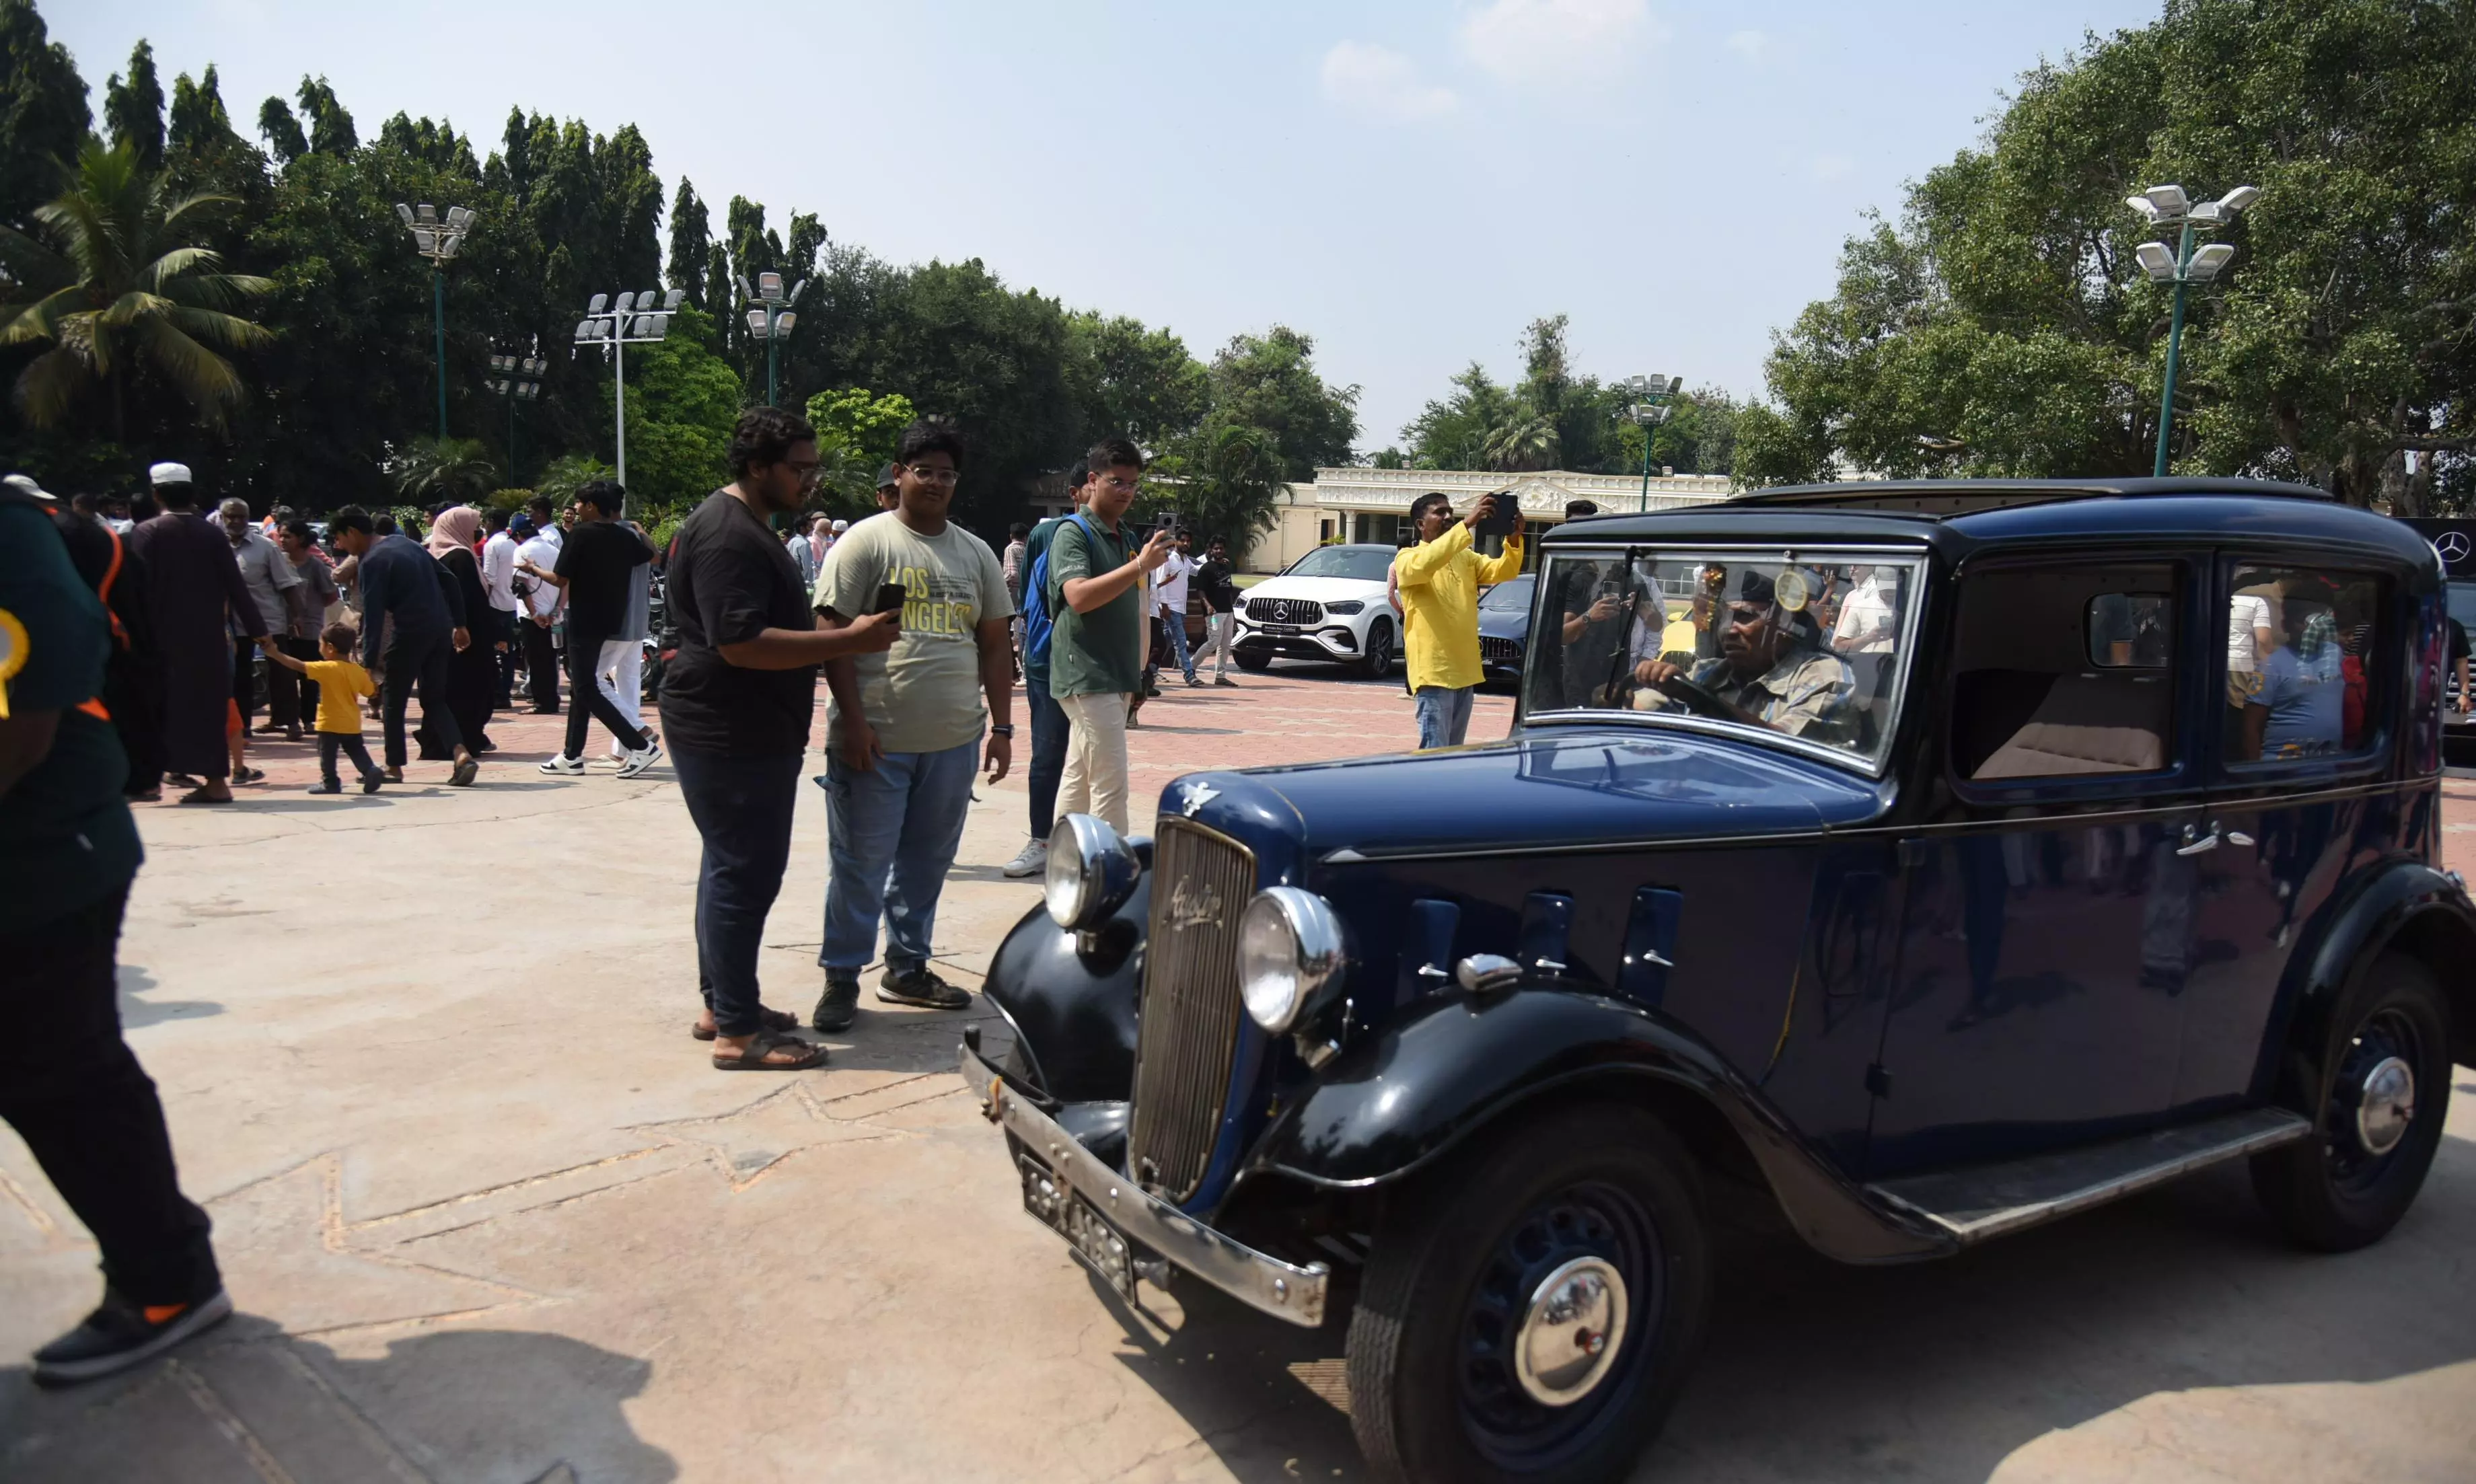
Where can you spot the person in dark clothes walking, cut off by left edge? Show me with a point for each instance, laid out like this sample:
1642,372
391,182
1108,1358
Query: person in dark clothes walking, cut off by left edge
68,856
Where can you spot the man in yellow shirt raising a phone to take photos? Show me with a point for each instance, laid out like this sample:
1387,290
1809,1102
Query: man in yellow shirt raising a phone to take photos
1440,583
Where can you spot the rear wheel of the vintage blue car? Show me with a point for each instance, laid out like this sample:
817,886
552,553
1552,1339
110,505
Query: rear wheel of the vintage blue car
2376,1094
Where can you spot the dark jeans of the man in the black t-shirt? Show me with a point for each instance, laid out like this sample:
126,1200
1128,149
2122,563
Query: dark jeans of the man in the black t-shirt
742,809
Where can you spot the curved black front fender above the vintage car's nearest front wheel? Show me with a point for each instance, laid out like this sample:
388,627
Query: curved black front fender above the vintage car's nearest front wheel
1427,1081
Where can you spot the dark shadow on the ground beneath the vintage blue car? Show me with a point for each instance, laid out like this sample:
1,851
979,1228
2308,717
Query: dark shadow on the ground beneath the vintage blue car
1935,1371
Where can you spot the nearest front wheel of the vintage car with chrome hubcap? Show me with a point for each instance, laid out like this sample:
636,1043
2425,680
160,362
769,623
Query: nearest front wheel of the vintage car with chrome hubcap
1534,1309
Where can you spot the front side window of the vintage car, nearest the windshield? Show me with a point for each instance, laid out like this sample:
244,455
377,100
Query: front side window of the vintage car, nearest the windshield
2064,673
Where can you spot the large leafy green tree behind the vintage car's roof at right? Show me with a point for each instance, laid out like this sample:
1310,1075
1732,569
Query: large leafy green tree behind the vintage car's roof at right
2002,326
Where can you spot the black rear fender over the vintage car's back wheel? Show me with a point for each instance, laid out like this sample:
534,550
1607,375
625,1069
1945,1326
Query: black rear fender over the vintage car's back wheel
2400,903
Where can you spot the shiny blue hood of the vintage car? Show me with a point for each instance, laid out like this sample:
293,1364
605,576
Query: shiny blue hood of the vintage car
1564,787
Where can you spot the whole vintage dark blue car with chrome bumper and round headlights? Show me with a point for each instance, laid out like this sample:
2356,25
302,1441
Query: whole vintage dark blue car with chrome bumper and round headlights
1923,861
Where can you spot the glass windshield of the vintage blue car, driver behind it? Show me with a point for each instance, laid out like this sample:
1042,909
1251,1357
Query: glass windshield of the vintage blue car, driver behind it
1804,645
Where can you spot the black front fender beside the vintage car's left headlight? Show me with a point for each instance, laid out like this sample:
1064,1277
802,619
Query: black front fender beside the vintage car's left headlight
1071,1000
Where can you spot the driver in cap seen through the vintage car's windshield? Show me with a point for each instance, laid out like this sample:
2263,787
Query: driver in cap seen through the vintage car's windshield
1772,665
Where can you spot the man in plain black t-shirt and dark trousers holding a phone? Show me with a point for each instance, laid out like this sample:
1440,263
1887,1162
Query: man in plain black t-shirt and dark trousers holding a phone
737,705
